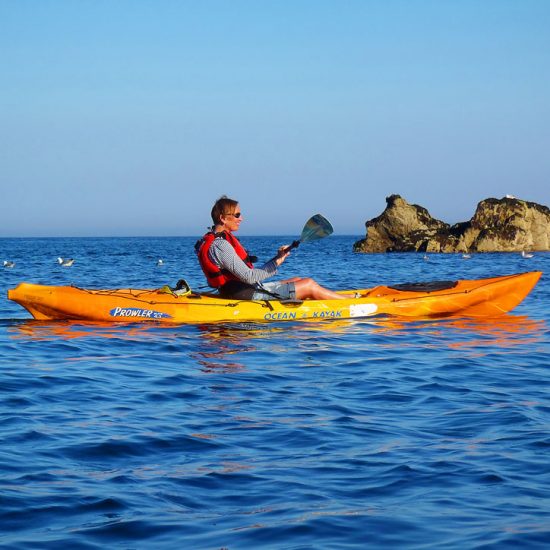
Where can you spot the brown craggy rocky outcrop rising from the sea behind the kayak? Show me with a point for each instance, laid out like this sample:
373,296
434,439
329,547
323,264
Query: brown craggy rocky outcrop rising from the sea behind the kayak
498,225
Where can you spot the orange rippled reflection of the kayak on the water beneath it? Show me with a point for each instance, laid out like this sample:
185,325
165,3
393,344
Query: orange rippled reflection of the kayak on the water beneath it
233,337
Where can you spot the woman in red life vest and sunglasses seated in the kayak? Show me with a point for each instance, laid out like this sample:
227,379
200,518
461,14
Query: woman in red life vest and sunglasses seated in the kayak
229,268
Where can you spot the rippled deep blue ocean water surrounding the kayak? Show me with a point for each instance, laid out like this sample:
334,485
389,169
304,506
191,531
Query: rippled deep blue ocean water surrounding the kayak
370,433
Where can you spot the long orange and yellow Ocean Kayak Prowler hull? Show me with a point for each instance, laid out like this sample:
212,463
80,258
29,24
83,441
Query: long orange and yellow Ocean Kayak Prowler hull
467,298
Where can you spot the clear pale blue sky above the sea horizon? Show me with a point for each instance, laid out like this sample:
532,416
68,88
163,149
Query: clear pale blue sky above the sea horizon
131,117
